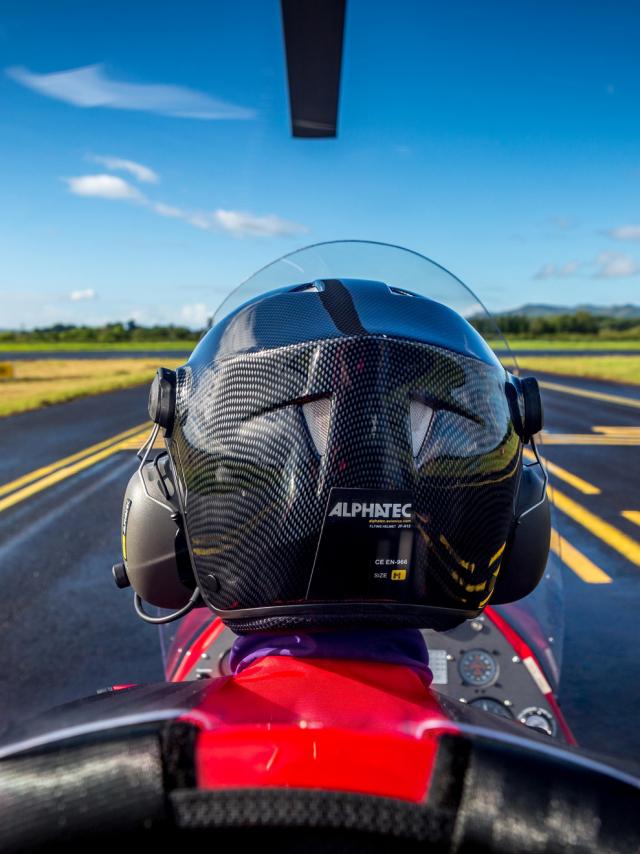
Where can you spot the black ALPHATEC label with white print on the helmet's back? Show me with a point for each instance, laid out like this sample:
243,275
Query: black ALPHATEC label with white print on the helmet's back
366,546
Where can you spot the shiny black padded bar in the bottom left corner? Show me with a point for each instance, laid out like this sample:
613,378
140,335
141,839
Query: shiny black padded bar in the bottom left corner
71,793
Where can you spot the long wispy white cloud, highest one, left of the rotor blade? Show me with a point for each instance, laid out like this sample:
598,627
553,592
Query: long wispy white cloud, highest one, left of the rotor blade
90,86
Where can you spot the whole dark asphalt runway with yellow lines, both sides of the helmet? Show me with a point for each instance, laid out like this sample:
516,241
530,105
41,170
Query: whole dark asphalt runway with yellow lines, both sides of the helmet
66,630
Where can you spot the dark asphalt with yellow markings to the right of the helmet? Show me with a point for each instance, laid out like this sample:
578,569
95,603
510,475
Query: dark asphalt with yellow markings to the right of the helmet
594,435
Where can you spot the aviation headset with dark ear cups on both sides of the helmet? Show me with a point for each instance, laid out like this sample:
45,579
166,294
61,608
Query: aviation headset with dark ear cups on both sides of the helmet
156,559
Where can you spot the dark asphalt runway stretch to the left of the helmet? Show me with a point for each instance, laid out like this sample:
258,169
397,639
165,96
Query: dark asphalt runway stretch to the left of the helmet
65,630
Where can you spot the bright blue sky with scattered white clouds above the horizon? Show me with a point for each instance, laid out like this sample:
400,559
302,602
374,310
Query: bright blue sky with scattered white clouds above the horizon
501,139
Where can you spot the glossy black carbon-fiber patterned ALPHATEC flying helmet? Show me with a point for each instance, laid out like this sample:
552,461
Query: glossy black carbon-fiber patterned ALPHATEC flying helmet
348,452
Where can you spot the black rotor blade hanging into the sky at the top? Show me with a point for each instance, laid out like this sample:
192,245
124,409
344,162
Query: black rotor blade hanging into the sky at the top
313,31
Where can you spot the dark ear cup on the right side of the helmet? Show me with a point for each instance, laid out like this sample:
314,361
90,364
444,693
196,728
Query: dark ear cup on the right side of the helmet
528,547
